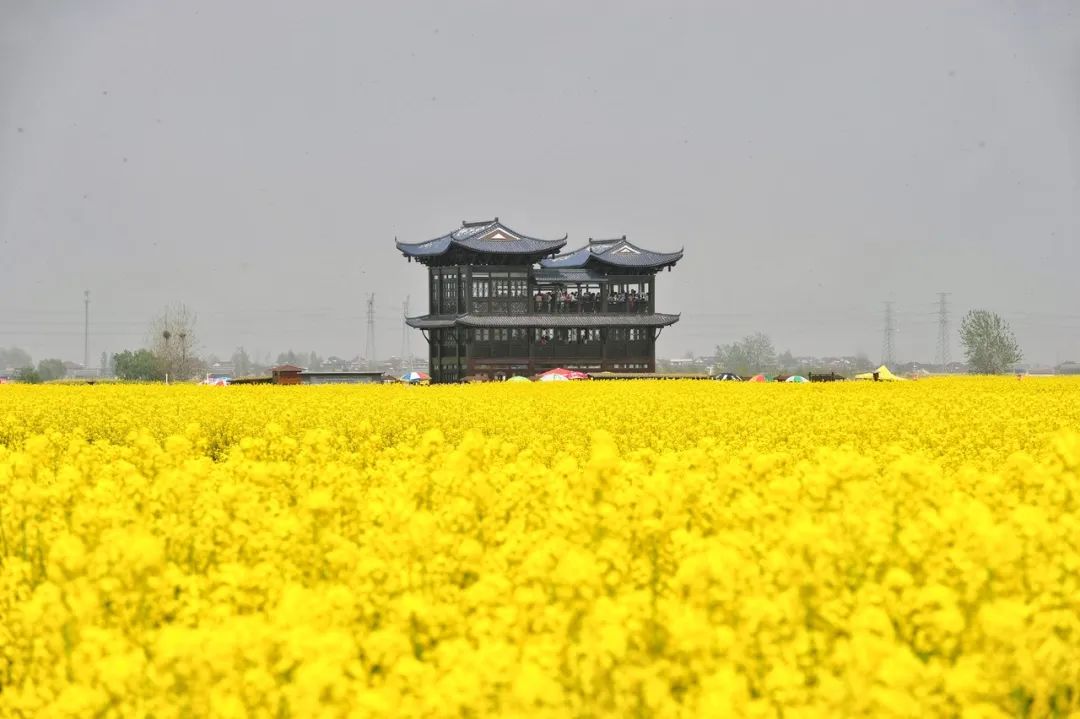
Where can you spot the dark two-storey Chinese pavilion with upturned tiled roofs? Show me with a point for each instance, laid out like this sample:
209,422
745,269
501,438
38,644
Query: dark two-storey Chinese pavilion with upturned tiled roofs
504,304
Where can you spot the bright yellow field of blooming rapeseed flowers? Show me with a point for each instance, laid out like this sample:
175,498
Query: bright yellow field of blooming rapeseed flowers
639,549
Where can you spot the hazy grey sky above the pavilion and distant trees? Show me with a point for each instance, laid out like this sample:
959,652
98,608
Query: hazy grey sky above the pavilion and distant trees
255,160
